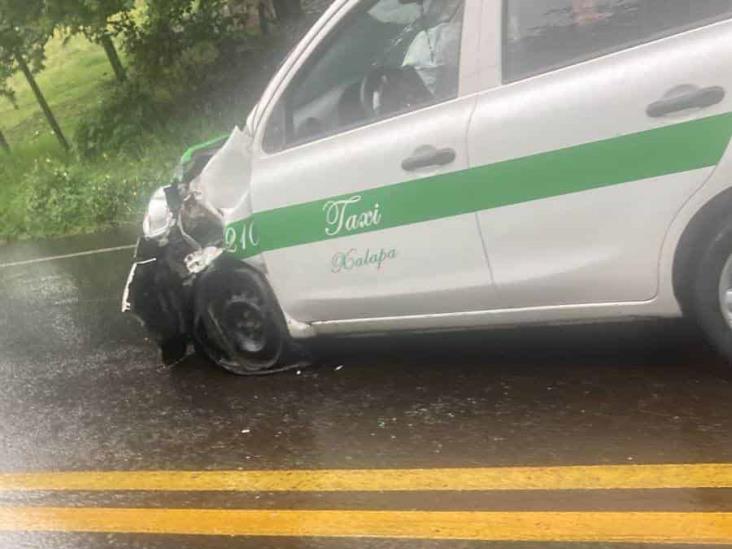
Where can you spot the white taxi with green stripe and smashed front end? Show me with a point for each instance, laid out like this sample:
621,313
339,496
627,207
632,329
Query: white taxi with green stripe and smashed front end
460,164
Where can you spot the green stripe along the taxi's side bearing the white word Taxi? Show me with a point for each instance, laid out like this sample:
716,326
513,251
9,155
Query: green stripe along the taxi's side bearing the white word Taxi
671,149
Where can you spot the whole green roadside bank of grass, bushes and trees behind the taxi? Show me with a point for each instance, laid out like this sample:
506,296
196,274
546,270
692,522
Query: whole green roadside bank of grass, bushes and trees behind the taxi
186,71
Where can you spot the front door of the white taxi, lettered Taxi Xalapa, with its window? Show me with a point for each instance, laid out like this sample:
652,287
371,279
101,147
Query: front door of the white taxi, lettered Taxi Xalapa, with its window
352,167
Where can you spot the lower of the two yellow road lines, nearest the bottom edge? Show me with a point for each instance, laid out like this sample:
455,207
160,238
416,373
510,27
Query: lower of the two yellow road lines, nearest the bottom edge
695,528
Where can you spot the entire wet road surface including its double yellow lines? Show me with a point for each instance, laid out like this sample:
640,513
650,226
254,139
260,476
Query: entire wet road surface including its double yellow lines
516,417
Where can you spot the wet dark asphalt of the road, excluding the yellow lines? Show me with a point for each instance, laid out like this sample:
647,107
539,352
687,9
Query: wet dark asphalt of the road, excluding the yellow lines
82,390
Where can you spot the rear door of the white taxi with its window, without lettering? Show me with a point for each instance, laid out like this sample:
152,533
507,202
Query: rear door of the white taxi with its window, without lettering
606,117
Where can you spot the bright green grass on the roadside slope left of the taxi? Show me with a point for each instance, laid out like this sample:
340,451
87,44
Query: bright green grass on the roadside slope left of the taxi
76,80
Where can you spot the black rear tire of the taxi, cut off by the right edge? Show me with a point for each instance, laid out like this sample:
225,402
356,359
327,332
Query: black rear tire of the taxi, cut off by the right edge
711,292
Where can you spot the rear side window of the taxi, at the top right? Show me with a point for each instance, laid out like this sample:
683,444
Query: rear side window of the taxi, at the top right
541,35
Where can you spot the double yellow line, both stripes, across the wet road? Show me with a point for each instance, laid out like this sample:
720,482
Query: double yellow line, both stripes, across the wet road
636,527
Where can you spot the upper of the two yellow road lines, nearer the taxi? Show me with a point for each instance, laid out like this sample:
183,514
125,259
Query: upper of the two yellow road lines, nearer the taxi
603,477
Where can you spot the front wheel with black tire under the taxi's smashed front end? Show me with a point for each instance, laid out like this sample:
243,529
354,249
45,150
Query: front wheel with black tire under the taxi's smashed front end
239,325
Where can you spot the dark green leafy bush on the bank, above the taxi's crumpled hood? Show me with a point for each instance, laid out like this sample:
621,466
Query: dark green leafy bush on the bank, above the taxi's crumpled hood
178,54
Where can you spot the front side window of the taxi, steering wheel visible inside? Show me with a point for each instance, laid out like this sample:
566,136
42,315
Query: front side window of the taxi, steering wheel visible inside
386,57
